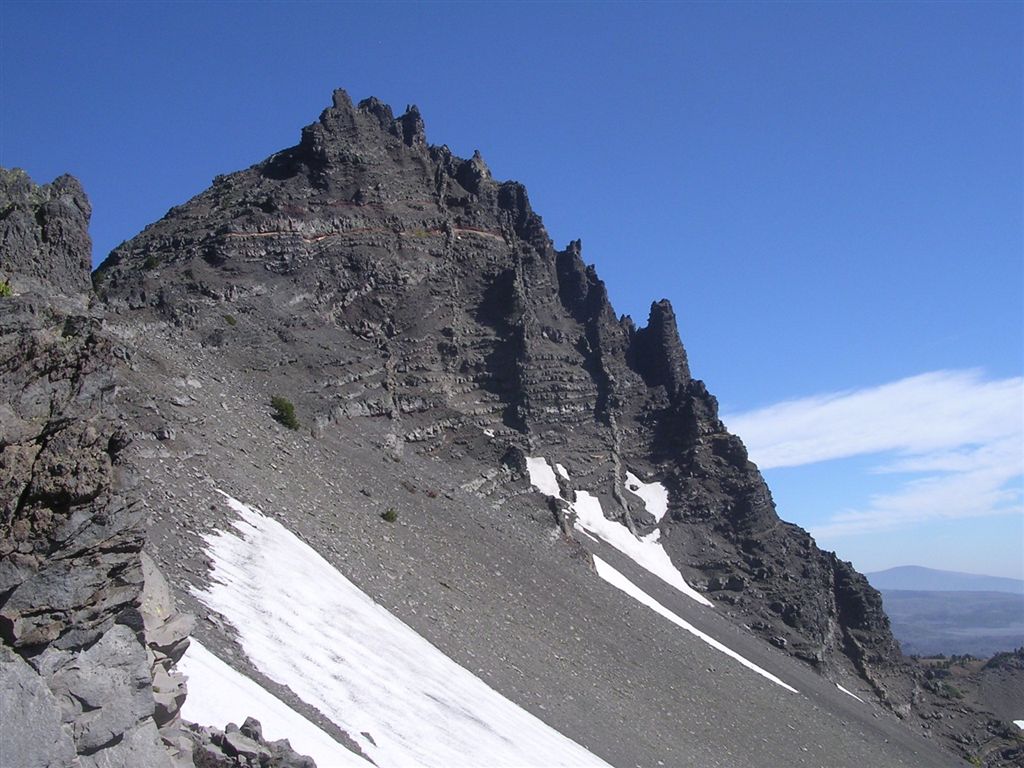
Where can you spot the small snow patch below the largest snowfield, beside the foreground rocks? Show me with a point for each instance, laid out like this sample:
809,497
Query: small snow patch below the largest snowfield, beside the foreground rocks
219,696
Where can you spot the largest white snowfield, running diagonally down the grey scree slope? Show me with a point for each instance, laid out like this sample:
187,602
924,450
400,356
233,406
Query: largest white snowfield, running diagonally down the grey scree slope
304,625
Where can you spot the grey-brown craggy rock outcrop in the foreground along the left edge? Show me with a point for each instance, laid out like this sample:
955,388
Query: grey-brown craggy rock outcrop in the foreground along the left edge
70,544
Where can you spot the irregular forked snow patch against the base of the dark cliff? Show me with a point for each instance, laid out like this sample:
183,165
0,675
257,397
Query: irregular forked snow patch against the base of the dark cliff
647,552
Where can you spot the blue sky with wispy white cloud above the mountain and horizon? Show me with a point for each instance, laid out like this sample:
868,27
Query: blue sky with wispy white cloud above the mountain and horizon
831,195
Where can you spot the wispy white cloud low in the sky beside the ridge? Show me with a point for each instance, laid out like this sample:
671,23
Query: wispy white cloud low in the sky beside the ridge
959,438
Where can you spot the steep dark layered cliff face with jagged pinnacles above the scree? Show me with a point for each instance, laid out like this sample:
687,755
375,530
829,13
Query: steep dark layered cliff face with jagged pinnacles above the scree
407,283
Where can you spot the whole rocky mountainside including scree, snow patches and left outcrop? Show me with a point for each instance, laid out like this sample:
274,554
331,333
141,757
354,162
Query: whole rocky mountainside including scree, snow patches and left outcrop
351,445
